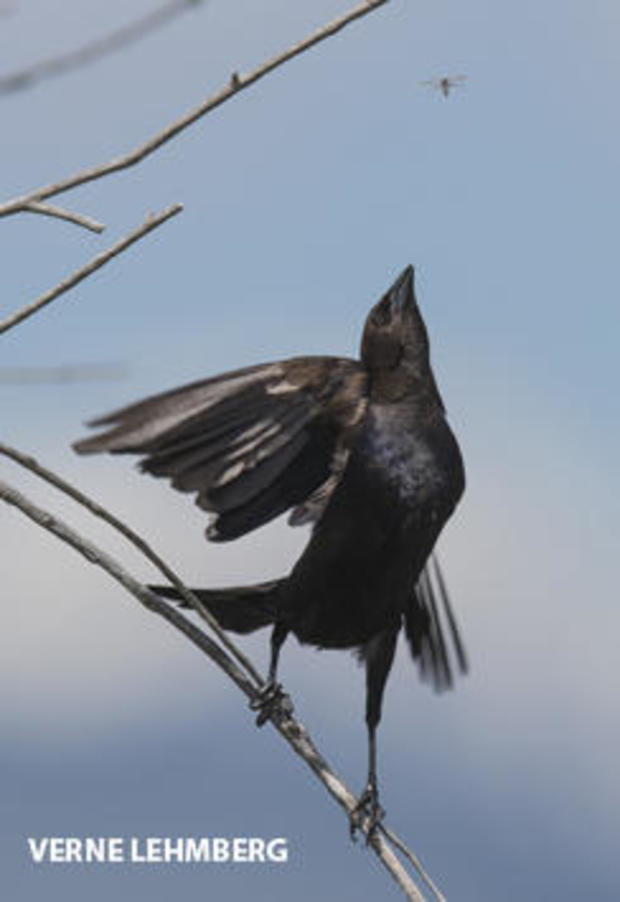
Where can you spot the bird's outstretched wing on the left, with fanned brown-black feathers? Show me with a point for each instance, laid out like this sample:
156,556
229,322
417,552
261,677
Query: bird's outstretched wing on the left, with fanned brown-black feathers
251,443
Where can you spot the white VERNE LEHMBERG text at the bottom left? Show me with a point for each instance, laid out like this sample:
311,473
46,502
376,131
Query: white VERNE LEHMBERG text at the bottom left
156,849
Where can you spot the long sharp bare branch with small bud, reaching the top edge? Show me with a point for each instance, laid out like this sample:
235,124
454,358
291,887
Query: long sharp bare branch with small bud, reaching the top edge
237,83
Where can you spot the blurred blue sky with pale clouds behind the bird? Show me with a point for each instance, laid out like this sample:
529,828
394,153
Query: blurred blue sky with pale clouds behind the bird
304,197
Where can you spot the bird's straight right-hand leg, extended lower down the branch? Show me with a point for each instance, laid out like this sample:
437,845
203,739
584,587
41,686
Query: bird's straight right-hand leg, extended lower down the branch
379,654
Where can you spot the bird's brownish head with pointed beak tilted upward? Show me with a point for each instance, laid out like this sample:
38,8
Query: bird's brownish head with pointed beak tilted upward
395,347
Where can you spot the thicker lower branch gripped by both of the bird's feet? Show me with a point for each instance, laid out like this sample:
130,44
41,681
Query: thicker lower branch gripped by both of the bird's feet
293,731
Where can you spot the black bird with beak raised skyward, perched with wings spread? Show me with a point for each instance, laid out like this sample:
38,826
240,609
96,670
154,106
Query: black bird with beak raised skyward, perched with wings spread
360,449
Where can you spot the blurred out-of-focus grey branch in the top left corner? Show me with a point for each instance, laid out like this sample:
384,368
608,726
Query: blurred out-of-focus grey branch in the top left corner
57,65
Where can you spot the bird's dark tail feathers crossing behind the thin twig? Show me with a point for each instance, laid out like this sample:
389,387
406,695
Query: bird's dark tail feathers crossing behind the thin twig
241,609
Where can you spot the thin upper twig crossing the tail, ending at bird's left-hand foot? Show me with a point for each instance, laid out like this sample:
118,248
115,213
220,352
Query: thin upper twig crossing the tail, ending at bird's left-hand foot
190,597
